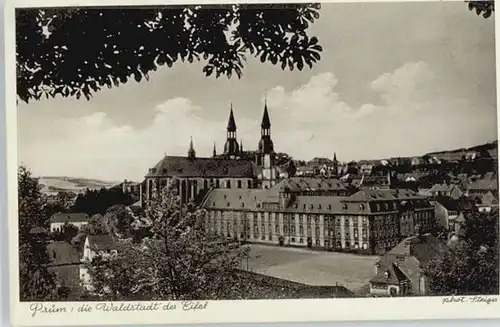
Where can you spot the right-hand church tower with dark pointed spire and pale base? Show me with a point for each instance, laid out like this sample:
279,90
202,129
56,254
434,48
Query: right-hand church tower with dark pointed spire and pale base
265,154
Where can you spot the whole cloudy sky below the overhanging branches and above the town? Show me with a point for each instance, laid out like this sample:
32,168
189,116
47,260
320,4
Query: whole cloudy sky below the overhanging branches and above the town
395,79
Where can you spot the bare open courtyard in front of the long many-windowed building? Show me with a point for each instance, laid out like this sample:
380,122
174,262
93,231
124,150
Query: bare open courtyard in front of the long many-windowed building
312,267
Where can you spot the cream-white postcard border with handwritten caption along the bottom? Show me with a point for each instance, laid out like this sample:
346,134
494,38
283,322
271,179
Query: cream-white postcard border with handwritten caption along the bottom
358,309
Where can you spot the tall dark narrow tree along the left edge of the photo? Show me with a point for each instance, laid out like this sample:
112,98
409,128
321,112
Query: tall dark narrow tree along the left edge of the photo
35,281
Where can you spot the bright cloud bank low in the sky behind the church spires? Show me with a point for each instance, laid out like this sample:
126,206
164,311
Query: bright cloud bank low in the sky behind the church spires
415,114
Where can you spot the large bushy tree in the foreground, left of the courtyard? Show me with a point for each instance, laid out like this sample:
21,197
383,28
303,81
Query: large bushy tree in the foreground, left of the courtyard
182,261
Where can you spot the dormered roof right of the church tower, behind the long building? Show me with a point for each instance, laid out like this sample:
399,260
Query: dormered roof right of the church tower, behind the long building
296,184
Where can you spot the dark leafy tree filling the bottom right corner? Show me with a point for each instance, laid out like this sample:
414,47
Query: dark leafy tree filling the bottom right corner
470,268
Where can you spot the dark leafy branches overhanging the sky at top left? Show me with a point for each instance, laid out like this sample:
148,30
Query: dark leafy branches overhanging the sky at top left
79,51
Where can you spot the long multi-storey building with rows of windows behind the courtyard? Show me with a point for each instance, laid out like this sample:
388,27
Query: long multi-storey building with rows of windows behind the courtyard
370,222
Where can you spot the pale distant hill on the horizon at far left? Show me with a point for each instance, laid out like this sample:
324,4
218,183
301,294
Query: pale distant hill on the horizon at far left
55,184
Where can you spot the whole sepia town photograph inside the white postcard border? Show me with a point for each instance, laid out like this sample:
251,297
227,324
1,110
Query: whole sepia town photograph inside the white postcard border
192,153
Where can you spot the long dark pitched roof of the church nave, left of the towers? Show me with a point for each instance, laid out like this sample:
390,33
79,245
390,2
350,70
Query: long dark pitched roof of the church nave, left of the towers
202,167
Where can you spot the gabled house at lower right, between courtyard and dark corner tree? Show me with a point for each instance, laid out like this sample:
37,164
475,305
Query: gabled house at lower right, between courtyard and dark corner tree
399,272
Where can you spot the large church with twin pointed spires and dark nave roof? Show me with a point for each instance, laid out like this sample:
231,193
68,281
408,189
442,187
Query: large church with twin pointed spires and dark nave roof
231,169
